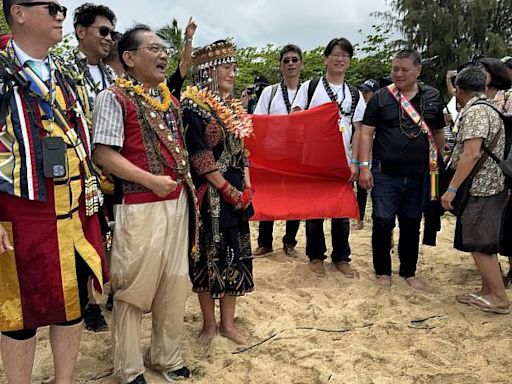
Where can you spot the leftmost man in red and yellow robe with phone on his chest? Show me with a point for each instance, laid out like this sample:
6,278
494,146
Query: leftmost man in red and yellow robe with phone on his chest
50,241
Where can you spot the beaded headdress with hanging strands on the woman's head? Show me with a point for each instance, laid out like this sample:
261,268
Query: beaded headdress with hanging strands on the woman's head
205,60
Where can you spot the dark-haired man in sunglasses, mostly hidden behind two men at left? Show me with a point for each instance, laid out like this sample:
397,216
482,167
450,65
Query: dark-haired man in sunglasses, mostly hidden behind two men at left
94,30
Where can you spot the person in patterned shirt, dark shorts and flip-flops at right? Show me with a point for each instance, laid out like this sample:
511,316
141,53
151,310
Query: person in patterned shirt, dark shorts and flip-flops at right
478,227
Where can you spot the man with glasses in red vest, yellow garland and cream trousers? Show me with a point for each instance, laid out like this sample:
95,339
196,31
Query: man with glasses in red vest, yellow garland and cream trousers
138,137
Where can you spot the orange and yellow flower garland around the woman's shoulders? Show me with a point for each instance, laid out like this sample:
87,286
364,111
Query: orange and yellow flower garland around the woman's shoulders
230,111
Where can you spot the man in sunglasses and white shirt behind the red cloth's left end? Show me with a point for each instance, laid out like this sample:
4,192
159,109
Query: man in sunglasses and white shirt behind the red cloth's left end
277,99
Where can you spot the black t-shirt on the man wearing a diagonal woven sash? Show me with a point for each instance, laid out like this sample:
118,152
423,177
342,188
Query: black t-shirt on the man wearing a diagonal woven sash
398,153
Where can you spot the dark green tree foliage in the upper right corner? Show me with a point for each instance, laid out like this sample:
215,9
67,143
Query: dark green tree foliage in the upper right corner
453,29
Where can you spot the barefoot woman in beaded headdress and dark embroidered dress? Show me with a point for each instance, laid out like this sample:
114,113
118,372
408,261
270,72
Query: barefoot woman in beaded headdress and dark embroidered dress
216,124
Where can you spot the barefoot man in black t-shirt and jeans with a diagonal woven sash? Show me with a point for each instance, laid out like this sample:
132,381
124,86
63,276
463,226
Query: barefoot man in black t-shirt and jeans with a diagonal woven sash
402,129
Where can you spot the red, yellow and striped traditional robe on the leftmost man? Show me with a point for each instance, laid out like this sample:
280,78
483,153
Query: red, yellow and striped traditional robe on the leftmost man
47,220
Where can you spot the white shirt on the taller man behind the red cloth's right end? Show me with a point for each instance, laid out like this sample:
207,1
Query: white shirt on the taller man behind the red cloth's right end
320,97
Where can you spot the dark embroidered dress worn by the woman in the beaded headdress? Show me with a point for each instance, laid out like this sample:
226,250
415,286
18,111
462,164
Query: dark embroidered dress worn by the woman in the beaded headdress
225,262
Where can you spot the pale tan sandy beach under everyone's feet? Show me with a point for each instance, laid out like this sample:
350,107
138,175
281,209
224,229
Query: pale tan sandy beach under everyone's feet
335,329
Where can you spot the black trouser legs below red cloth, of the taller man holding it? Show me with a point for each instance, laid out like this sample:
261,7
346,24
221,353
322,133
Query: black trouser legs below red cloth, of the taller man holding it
315,239
